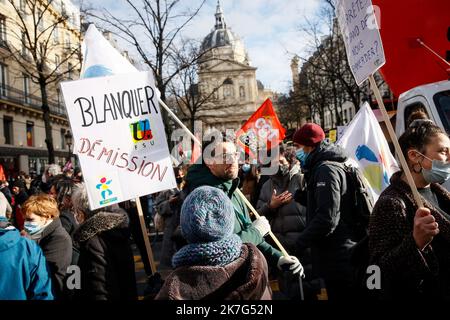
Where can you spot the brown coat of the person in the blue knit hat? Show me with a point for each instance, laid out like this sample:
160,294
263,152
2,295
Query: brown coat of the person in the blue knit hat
246,278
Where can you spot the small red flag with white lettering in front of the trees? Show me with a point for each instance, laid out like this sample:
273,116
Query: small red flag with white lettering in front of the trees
261,131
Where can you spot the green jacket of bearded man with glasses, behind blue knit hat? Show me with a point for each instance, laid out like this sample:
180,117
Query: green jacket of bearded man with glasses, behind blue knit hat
200,175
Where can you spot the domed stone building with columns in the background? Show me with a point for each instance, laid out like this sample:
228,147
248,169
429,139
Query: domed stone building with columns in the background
225,73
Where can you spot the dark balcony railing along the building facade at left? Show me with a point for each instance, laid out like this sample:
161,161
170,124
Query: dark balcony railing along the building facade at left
18,96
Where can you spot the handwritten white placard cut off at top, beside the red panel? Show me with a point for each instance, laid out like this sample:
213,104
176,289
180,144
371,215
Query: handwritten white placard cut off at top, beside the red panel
362,39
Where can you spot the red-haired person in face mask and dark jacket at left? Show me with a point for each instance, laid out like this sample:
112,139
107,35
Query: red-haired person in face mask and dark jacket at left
42,224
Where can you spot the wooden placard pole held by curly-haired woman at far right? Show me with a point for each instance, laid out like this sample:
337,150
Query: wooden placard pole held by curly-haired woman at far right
394,139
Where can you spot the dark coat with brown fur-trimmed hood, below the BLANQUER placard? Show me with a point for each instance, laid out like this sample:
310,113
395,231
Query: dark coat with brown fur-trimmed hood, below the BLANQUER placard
106,261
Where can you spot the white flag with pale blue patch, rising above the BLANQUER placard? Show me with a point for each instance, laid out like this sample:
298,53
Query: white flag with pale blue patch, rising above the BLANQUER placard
100,58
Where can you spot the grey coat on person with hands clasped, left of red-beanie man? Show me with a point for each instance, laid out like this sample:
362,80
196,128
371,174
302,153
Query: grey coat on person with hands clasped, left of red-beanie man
289,220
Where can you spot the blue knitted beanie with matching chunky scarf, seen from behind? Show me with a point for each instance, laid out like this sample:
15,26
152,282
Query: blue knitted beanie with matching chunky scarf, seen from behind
207,223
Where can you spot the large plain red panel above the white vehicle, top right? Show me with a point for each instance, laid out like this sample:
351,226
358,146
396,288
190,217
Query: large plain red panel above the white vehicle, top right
408,64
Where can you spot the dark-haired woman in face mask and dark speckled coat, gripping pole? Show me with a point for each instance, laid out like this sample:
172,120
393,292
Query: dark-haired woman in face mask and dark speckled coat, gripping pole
411,245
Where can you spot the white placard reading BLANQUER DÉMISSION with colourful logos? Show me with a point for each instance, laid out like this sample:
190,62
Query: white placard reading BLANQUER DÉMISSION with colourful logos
119,137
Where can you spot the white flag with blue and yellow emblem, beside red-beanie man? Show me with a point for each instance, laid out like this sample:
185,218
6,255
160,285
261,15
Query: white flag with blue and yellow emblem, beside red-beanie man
367,148
